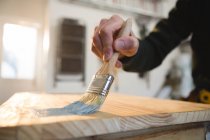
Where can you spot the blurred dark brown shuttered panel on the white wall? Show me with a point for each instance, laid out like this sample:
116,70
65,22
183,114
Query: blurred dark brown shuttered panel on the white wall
70,58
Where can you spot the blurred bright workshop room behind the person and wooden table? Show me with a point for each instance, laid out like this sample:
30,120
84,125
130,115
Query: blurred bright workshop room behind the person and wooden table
45,47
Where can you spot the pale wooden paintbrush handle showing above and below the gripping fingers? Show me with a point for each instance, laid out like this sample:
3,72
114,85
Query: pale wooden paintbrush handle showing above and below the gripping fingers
124,31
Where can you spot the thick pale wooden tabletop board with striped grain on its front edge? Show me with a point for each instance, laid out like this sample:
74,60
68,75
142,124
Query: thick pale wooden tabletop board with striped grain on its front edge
119,113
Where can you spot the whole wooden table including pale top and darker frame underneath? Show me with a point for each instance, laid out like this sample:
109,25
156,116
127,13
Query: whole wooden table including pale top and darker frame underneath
121,117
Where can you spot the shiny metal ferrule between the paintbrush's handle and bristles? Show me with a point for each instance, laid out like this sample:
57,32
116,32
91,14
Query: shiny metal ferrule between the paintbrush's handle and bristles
100,84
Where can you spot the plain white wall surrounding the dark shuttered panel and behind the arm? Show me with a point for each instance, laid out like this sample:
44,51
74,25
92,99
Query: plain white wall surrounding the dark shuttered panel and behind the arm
129,83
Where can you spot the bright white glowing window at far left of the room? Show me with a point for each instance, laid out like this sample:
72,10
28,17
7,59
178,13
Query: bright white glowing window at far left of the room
19,51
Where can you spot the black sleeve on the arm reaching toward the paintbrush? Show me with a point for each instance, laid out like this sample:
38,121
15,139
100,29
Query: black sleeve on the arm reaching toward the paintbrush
166,35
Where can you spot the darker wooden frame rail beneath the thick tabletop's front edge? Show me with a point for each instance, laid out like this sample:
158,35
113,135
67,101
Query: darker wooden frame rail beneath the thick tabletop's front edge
173,132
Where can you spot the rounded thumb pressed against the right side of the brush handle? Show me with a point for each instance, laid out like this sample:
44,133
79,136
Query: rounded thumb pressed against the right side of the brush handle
127,46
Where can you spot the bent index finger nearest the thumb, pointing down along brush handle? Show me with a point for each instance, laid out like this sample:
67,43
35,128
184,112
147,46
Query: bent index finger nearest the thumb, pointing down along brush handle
106,34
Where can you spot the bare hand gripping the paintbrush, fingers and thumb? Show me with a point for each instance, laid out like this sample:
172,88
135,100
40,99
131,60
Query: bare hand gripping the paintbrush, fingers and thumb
105,41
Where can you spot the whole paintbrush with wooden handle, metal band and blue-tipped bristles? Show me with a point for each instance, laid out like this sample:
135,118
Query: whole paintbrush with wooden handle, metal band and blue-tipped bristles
99,87
